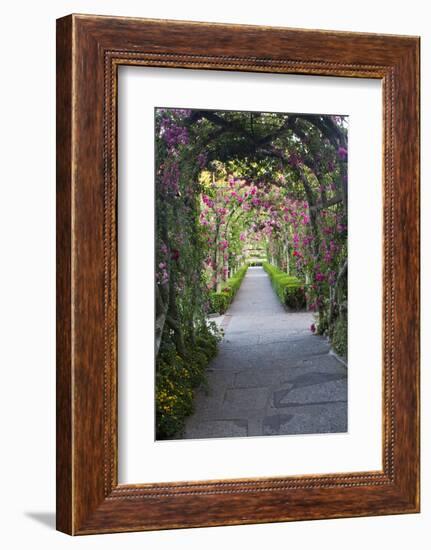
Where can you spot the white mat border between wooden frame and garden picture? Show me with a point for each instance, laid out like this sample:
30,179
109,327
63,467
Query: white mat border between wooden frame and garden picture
141,459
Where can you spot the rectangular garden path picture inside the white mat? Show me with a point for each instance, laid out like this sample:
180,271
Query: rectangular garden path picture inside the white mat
251,273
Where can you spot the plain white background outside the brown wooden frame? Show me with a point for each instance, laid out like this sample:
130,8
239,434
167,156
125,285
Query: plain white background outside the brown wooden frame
27,279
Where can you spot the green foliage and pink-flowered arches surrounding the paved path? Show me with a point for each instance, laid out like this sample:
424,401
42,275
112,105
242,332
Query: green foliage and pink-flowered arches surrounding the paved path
221,199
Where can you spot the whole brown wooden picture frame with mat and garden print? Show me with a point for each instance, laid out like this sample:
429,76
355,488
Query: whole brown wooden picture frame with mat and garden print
237,274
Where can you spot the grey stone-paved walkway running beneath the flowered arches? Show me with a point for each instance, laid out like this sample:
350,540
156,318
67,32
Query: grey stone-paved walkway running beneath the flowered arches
272,376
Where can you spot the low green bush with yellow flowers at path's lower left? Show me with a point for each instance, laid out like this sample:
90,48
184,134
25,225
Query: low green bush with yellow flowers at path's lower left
176,379
